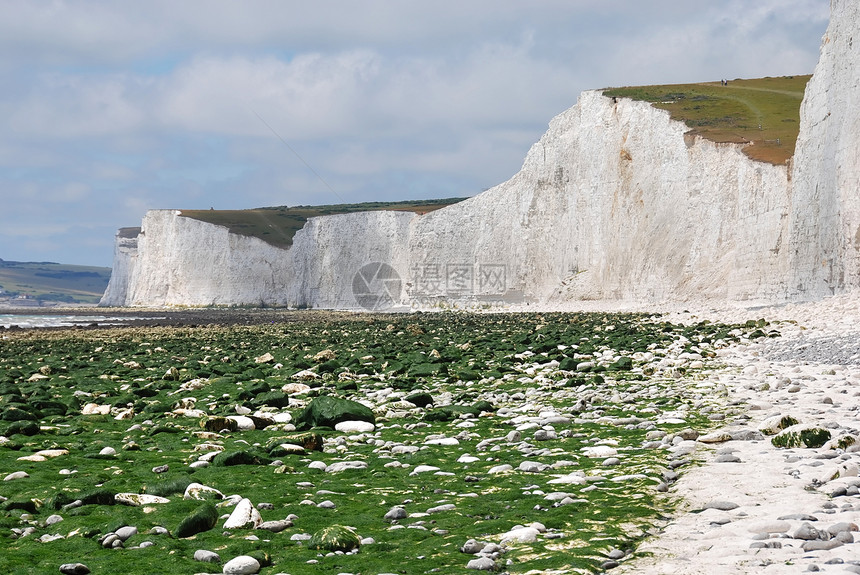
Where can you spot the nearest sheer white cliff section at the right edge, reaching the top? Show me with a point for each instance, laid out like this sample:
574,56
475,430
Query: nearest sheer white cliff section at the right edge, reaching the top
825,208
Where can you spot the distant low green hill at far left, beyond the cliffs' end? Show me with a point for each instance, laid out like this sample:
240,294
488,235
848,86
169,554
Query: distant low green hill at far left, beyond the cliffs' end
48,281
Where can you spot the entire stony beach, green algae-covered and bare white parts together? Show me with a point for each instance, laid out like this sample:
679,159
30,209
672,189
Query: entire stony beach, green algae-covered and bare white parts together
436,443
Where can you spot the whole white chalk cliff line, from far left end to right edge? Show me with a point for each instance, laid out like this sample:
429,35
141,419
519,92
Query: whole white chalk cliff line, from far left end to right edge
615,201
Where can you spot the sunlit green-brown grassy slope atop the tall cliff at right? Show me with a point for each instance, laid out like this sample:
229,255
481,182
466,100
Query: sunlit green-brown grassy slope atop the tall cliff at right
764,113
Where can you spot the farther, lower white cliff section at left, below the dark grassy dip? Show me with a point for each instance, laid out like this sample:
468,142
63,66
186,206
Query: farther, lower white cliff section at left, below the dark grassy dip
176,260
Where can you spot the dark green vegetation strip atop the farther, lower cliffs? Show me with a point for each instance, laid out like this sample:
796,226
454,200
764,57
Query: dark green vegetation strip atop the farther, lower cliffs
277,225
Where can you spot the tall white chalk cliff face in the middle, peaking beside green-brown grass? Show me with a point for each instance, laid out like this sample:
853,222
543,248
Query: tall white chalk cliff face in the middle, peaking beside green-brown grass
615,202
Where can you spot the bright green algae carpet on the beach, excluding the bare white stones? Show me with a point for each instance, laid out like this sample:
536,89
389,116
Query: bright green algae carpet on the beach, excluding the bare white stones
480,353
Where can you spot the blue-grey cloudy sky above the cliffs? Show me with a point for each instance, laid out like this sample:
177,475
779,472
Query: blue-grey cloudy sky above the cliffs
109,109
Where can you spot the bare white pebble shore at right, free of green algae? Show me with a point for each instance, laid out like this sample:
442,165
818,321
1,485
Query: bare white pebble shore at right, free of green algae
751,507
